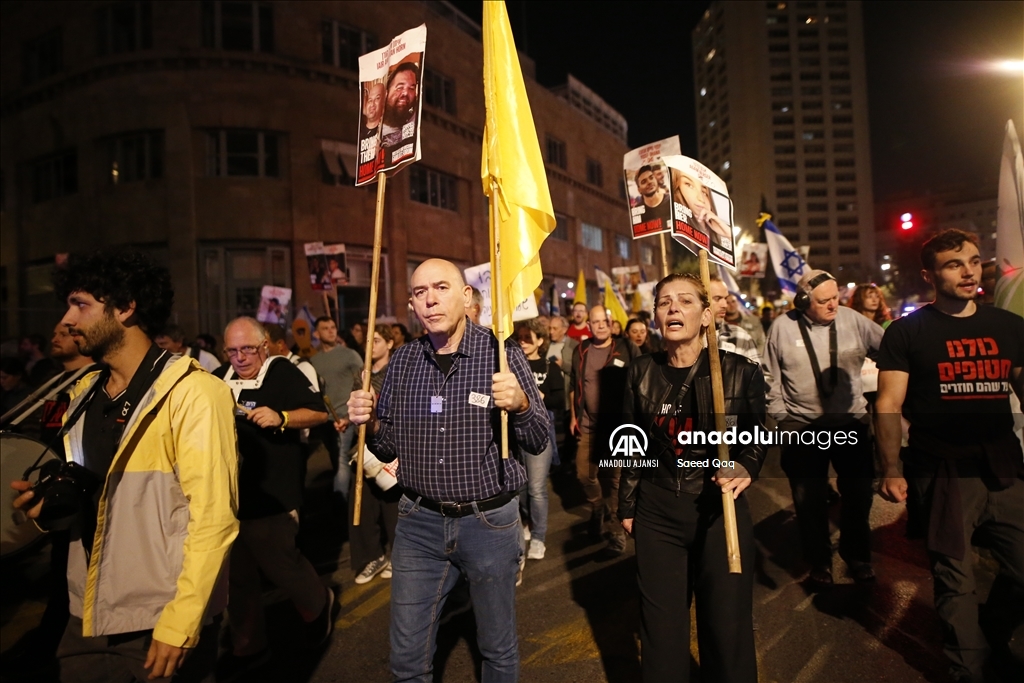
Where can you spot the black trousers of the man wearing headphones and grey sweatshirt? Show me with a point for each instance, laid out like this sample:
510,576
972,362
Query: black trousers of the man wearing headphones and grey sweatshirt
807,468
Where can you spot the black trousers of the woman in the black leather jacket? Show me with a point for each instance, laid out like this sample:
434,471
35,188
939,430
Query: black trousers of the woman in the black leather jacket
680,546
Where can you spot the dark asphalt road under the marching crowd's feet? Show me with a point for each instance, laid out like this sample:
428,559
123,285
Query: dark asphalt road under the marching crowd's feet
578,614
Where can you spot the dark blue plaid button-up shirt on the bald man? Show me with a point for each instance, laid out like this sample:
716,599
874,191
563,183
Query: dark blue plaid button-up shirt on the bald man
455,455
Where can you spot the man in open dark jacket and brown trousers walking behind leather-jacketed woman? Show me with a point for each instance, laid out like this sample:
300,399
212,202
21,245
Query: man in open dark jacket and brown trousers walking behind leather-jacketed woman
599,381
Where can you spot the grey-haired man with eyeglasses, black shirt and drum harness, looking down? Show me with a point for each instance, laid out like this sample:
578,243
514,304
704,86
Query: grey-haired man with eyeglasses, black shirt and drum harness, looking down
274,404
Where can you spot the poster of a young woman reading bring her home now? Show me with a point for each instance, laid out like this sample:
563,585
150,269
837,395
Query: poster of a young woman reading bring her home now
702,210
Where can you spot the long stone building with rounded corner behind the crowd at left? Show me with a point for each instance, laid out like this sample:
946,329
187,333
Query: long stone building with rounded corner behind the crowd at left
220,138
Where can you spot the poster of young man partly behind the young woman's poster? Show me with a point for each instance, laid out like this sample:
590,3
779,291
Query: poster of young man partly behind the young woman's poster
648,188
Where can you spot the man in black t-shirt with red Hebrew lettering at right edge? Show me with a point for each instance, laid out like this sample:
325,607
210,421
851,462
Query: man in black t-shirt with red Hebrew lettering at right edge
950,369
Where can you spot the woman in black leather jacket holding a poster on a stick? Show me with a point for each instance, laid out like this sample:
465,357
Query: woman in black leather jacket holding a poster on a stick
671,499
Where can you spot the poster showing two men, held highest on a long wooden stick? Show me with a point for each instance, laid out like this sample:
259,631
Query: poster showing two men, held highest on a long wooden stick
391,106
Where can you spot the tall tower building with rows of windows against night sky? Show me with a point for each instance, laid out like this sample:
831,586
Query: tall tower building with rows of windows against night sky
783,114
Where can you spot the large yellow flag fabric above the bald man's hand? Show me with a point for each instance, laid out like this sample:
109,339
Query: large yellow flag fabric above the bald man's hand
513,165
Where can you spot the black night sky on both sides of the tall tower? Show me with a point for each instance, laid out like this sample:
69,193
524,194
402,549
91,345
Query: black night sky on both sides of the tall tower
936,115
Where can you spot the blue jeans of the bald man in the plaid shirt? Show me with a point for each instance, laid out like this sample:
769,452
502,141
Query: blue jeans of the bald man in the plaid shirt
431,552
